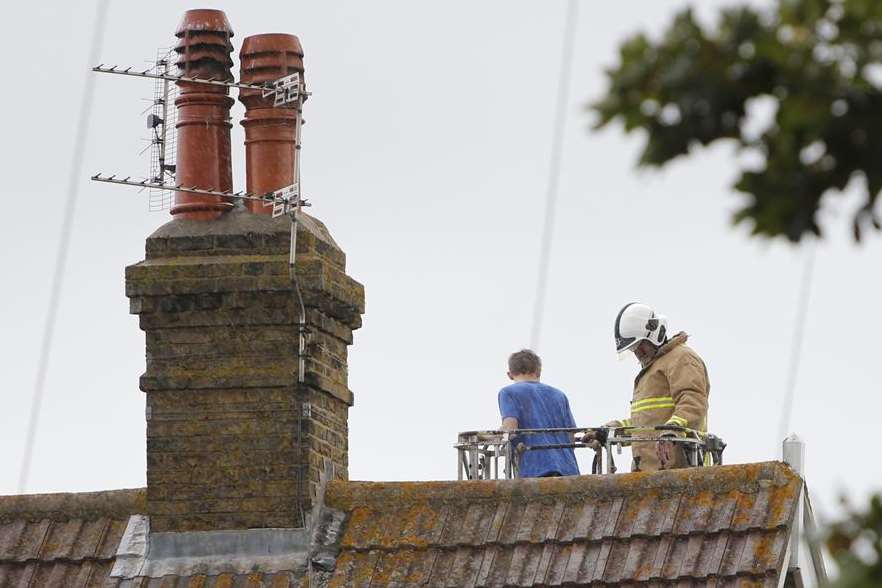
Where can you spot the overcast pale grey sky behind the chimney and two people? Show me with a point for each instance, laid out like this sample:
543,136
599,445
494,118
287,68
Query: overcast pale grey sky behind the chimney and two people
426,153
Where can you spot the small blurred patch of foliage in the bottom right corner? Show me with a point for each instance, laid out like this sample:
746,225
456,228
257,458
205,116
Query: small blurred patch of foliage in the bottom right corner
856,544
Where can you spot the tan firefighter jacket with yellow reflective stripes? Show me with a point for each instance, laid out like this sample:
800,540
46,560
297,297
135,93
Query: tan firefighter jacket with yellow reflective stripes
672,390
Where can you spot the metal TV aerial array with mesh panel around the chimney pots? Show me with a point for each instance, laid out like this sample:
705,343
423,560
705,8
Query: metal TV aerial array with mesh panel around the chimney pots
161,178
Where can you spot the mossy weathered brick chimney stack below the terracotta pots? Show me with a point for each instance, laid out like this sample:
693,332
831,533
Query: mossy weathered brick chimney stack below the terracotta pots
232,441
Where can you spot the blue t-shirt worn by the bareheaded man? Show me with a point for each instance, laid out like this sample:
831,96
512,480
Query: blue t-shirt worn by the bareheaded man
540,406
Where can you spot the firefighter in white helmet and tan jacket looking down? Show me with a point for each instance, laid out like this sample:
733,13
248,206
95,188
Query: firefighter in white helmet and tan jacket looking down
671,388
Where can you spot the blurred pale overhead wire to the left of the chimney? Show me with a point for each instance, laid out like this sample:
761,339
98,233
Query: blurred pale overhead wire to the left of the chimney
73,184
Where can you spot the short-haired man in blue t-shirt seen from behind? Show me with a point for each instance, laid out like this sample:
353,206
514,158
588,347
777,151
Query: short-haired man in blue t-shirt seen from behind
530,404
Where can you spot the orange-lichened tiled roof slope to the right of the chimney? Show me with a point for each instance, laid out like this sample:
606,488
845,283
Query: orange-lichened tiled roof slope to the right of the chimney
722,526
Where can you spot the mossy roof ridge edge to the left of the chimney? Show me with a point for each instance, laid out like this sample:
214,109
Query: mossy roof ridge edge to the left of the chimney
64,505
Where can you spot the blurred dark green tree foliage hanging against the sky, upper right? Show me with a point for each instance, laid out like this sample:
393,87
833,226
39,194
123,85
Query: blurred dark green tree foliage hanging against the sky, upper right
820,61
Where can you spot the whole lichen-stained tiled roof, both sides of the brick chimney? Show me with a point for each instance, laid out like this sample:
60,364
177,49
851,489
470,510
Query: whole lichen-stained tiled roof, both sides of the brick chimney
720,526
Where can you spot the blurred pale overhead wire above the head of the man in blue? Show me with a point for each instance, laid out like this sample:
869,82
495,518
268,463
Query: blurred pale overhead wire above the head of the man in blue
554,165
